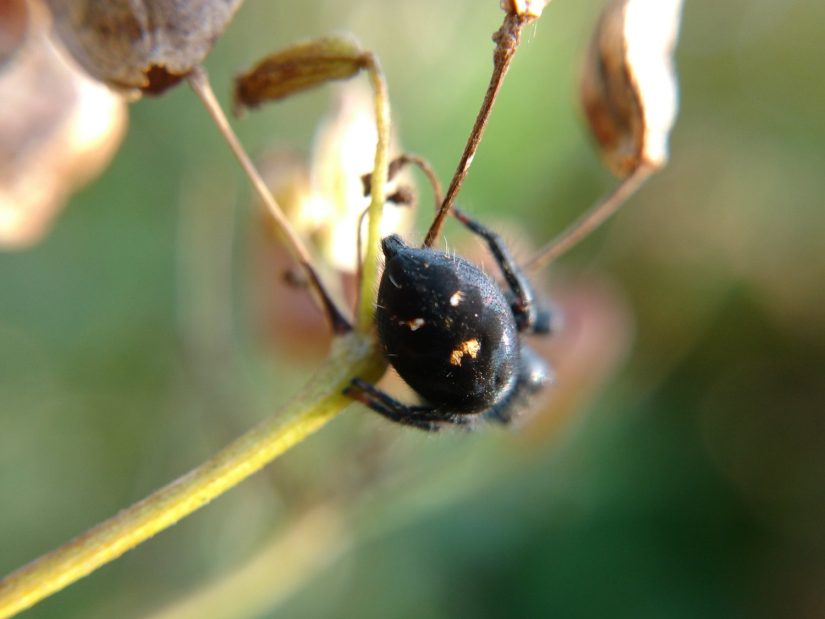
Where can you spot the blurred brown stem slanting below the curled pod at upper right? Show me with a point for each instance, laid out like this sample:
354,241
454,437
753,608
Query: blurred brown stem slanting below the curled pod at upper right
591,219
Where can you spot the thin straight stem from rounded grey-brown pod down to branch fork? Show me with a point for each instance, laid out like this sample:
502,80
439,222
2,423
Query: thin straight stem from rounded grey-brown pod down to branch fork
199,81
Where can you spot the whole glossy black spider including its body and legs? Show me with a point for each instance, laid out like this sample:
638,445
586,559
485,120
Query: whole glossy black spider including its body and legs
454,336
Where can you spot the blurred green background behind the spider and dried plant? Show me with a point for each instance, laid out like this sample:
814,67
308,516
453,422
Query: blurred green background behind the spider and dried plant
690,485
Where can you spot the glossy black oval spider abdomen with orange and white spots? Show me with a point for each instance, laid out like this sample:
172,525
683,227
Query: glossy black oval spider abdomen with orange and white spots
446,328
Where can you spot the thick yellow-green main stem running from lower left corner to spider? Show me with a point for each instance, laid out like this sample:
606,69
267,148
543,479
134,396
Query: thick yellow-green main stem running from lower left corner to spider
319,402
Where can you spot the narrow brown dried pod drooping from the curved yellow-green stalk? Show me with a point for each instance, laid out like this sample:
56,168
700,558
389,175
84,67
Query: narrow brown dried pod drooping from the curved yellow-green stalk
298,68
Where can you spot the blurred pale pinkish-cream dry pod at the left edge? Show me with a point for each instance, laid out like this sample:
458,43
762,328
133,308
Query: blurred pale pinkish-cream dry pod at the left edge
58,129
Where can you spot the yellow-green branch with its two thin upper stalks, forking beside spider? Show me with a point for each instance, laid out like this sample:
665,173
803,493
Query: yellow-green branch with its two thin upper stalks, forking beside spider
320,401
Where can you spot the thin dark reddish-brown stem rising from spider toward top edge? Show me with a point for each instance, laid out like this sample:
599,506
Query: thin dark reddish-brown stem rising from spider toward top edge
507,39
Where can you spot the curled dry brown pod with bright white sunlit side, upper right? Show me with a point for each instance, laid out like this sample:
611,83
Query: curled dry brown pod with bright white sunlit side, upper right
629,87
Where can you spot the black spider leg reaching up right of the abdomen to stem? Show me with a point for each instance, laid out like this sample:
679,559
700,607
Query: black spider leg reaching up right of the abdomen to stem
529,317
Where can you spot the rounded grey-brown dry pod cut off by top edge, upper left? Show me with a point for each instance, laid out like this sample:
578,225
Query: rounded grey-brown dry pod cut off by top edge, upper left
141,45
